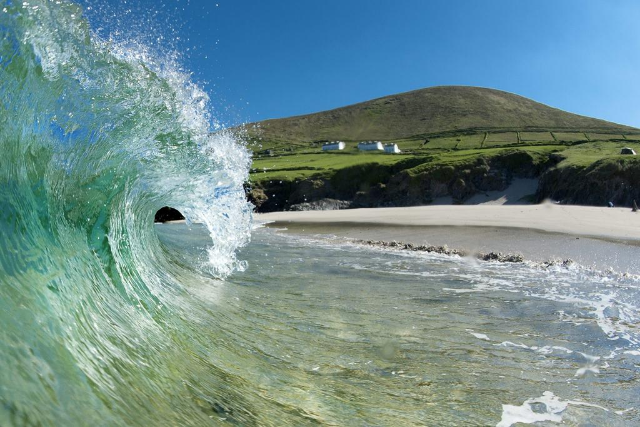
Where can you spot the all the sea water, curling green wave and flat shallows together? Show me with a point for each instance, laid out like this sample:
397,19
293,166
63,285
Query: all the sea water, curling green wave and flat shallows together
109,320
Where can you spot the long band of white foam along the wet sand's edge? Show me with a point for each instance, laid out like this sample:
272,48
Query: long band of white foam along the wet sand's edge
611,300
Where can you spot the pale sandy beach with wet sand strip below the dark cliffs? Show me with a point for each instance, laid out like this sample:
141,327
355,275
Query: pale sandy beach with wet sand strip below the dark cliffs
597,237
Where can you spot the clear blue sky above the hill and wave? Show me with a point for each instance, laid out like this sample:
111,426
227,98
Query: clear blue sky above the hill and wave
267,59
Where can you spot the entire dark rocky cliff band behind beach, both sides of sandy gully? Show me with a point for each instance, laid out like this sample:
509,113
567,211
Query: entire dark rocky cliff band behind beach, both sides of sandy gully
416,182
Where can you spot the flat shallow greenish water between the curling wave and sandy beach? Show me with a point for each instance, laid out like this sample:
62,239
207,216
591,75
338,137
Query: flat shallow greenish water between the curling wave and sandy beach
346,335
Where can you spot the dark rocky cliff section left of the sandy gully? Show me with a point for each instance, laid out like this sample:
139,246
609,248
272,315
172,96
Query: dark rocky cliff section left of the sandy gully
403,184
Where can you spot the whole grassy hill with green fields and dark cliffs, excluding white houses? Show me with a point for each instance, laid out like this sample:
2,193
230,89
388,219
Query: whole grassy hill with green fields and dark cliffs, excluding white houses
455,141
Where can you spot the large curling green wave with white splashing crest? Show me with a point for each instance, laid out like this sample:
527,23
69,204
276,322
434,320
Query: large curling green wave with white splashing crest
95,138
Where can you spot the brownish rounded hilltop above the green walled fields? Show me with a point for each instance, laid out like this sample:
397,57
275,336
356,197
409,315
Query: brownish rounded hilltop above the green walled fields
428,112
